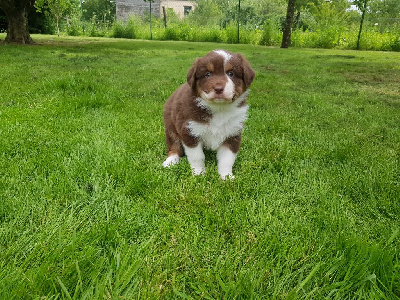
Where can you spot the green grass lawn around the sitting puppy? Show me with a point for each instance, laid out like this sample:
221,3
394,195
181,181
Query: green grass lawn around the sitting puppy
88,212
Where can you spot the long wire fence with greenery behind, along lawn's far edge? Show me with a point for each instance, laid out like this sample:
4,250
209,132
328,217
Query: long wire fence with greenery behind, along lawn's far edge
259,22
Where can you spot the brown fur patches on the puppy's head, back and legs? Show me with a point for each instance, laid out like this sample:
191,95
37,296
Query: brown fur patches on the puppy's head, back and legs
183,107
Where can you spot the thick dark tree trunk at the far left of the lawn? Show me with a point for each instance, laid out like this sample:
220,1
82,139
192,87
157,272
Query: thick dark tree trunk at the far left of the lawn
17,20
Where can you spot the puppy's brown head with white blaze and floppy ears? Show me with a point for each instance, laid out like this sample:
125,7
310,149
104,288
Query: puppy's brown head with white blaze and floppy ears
220,76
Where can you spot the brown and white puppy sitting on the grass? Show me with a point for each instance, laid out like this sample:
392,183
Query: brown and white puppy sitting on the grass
209,111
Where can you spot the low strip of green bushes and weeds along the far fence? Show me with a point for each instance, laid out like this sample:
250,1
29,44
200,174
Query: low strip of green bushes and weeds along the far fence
326,36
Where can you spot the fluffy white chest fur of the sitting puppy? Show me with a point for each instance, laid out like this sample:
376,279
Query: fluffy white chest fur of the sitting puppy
226,121
